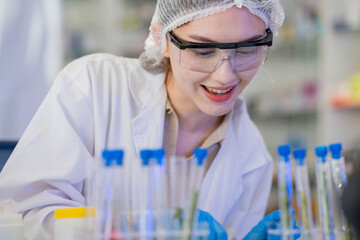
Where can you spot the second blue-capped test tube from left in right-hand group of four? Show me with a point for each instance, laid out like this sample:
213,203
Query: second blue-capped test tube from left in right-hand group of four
303,195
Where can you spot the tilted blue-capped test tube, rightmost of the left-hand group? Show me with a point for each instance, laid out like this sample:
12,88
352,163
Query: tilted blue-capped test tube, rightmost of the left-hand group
195,179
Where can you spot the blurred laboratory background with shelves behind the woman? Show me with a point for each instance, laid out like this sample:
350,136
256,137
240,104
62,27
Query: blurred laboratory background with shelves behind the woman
307,93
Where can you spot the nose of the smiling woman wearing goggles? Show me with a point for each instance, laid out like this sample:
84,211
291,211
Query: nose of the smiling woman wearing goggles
224,72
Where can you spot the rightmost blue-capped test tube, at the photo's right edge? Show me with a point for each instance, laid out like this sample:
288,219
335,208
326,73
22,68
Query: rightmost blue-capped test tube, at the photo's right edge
340,182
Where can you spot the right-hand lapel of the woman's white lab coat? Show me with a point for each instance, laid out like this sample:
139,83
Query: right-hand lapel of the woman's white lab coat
240,153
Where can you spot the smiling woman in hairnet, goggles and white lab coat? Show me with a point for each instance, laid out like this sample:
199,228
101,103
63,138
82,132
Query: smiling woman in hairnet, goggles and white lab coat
182,93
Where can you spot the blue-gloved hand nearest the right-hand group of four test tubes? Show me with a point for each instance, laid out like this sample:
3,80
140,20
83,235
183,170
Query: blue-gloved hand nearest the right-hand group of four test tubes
272,221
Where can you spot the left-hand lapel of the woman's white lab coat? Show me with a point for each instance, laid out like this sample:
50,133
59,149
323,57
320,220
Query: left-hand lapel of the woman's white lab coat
150,94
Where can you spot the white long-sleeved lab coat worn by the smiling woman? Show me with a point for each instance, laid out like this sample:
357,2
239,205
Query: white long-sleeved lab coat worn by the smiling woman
102,101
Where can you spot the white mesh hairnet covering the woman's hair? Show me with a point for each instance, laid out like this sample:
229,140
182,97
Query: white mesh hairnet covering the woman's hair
170,14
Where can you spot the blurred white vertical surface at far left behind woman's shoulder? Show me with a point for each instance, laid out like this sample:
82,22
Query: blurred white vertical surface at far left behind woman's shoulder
30,57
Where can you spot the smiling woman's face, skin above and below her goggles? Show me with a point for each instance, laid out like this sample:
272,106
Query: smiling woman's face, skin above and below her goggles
213,94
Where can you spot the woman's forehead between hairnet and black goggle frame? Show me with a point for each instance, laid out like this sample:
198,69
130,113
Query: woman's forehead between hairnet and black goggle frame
235,24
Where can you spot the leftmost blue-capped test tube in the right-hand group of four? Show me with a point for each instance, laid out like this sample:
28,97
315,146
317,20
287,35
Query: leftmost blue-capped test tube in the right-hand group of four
285,190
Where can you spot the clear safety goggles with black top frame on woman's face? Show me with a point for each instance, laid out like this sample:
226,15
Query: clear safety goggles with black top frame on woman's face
207,57
